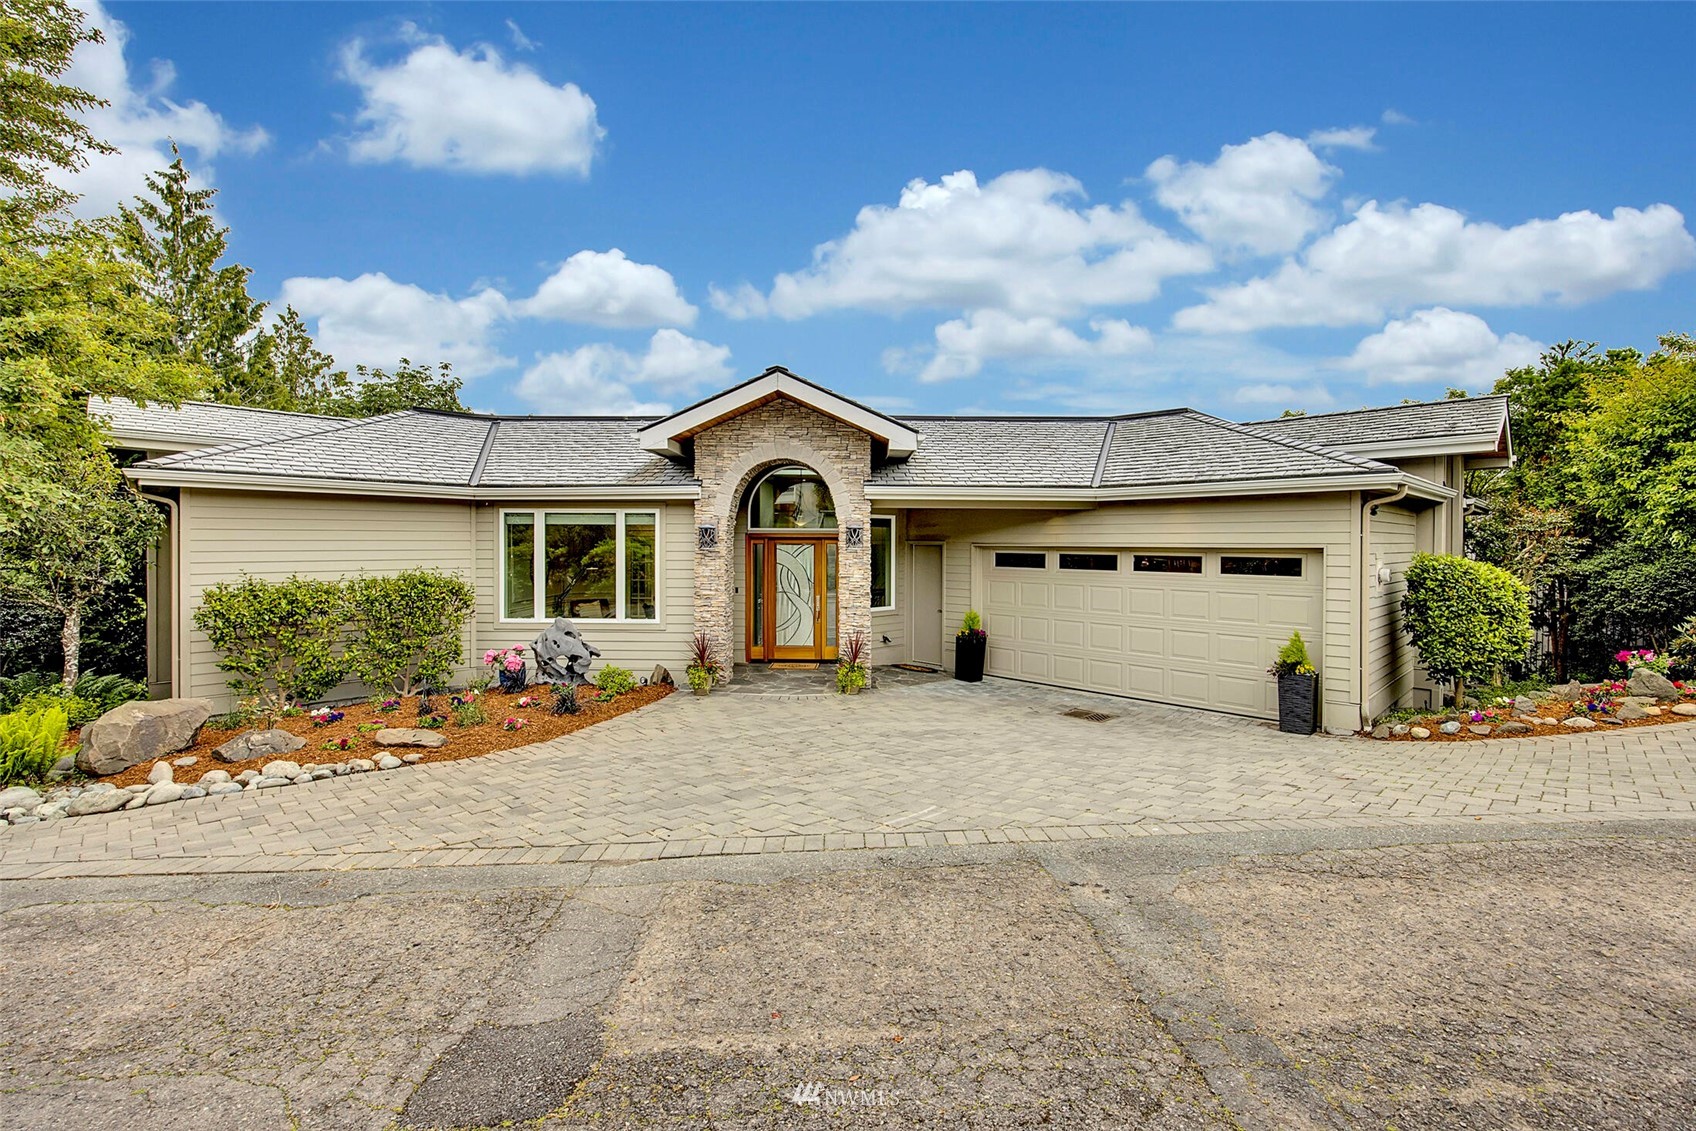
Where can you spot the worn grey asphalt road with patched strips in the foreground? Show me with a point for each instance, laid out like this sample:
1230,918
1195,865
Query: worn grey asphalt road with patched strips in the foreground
1375,978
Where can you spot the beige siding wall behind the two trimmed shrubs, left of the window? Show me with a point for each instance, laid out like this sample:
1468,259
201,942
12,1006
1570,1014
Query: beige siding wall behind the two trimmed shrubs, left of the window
328,537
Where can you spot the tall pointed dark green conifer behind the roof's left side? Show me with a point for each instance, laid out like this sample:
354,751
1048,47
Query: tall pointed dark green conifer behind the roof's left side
177,247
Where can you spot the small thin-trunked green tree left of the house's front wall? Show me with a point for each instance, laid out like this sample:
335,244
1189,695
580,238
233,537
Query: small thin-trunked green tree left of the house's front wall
75,545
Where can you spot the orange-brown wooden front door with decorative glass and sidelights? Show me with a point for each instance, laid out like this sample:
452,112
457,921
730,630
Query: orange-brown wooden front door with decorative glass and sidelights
791,598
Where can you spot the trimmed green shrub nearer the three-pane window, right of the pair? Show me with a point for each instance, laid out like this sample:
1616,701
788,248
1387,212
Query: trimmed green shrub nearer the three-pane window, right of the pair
408,628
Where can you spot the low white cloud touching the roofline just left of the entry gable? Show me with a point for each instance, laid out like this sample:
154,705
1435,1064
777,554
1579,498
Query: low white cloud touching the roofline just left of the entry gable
601,377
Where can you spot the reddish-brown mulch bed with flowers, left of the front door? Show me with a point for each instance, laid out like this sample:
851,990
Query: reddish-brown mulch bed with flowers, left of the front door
462,742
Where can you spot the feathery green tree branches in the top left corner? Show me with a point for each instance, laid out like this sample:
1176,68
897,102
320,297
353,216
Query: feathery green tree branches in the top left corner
40,118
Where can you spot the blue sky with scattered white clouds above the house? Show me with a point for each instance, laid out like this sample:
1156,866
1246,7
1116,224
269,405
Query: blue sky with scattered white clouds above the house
935,209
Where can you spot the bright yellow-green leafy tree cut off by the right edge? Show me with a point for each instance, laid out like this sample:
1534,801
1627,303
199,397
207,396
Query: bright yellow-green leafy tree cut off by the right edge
1634,454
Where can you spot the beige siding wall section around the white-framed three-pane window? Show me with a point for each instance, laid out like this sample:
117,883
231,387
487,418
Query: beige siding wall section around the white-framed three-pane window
628,645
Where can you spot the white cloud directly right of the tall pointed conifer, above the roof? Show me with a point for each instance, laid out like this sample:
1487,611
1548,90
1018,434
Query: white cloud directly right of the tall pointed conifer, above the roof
377,321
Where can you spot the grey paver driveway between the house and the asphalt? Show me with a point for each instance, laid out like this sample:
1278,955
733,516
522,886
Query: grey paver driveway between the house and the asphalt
930,764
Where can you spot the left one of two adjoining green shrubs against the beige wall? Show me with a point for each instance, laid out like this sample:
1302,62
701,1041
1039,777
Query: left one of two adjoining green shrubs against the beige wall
279,638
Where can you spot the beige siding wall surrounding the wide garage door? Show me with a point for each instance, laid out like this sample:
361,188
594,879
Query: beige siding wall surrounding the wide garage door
1324,523
